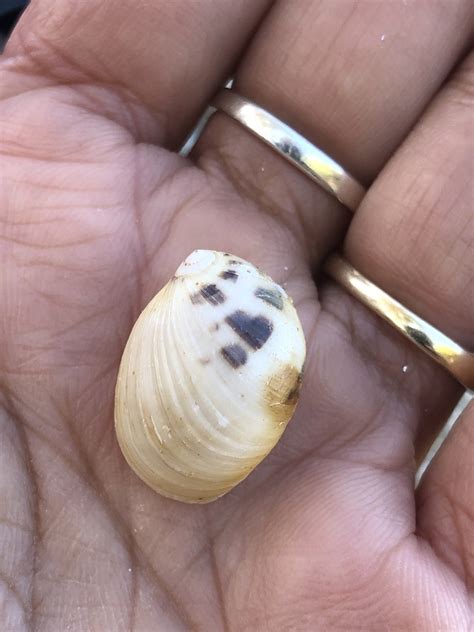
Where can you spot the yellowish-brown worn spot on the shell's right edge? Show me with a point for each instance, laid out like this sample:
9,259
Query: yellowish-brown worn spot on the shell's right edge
282,393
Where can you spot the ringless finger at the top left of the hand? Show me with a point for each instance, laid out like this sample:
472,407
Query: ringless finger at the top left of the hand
168,56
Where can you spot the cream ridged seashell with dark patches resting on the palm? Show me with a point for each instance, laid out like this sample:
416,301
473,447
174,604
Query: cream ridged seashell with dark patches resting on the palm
209,378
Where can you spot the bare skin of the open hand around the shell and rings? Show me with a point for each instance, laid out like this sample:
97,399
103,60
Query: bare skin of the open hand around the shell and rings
96,213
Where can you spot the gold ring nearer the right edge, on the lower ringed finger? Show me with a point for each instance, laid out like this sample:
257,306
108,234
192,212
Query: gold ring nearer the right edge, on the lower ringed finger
458,361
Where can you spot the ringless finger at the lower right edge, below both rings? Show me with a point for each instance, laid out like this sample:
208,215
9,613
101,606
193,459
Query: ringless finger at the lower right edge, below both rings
444,498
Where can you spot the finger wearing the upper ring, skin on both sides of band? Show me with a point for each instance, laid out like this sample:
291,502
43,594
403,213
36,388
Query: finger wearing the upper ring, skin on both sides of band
353,77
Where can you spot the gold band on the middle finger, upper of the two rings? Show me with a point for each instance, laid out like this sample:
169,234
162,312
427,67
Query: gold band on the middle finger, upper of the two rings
292,146
